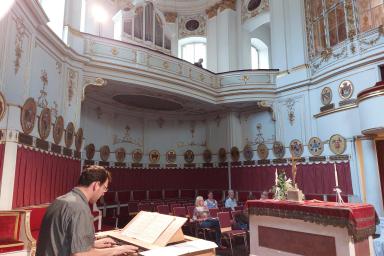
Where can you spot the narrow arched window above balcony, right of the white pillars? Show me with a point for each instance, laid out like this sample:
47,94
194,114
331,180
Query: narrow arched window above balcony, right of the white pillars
259,54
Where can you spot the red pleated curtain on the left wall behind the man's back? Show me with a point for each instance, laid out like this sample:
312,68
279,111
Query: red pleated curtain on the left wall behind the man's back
40,177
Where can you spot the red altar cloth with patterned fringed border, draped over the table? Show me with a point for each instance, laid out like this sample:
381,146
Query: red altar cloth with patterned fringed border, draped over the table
359,219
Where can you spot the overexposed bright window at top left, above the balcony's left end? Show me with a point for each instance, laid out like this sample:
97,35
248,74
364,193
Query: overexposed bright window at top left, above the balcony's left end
55,13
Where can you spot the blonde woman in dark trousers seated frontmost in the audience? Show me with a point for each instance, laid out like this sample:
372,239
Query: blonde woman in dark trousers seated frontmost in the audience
201,215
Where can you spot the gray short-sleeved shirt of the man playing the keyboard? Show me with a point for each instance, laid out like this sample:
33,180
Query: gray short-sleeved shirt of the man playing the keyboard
67,226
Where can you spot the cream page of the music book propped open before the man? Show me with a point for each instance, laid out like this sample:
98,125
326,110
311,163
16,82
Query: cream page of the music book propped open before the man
147,226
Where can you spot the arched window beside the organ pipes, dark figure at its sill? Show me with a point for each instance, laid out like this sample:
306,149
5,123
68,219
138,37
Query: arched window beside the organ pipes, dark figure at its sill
192,49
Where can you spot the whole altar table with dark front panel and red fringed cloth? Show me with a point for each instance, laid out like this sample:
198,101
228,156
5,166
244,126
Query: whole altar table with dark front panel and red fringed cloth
311,228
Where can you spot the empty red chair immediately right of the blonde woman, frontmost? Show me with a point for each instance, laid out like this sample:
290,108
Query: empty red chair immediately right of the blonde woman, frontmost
227,232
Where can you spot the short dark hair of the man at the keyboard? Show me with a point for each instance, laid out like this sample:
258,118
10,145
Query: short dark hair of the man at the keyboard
94,173
